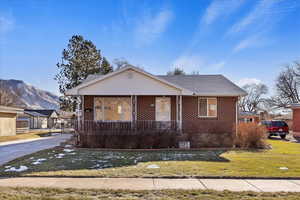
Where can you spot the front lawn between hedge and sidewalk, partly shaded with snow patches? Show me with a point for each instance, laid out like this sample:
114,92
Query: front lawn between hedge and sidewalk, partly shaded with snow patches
283,160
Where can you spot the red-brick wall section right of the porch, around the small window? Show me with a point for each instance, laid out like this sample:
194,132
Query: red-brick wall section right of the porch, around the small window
209,132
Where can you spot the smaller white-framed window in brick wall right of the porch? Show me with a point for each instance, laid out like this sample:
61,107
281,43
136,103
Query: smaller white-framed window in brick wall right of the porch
207,107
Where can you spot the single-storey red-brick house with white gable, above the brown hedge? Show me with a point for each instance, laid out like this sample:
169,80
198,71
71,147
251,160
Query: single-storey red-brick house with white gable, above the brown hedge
200,104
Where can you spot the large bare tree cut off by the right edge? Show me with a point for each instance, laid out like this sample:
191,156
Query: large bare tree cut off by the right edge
287,87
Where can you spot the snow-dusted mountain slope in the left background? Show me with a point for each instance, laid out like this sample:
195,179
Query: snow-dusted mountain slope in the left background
27,96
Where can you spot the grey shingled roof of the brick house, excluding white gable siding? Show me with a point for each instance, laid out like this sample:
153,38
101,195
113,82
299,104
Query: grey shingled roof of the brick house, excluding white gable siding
202,85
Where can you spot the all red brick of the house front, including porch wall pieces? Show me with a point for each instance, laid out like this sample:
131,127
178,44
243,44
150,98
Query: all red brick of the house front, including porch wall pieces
202,132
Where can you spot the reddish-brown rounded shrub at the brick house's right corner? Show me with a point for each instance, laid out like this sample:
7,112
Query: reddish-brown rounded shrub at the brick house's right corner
251,135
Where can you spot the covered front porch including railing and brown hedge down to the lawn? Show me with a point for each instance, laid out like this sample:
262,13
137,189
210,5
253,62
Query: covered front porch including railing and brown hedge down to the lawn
126,120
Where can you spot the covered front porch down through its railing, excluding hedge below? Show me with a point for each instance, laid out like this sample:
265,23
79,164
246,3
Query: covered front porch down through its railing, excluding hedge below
130,113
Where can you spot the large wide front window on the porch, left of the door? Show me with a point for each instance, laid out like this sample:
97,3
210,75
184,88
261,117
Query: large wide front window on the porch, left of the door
112,109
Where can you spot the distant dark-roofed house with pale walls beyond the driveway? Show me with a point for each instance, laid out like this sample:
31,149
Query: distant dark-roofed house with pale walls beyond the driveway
42,118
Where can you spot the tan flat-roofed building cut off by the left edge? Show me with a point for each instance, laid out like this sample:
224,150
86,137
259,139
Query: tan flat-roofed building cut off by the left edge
8,117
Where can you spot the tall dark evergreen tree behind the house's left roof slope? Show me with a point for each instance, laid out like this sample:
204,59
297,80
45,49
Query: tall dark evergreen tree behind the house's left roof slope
80,59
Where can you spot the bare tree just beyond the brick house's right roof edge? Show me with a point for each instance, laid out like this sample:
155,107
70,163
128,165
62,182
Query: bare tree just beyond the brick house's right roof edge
254,99
